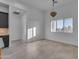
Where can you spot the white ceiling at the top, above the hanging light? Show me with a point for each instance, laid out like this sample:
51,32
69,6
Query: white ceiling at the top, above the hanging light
44,4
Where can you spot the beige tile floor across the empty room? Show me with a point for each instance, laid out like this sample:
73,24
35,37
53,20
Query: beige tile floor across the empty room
43,49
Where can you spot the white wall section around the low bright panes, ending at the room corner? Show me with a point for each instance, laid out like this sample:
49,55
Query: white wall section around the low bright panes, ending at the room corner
35,19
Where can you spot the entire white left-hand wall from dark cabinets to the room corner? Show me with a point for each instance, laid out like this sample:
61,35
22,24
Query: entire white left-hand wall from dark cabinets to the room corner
18,24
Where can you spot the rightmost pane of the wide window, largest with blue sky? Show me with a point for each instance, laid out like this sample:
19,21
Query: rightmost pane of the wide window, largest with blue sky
68,25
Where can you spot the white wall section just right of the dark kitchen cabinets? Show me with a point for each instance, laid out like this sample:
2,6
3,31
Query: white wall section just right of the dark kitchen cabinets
15,24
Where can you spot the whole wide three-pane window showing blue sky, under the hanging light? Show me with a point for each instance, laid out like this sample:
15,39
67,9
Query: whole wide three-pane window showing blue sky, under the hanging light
62,25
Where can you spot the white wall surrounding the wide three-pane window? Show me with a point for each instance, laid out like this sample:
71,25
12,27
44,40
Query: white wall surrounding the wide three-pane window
69,10
